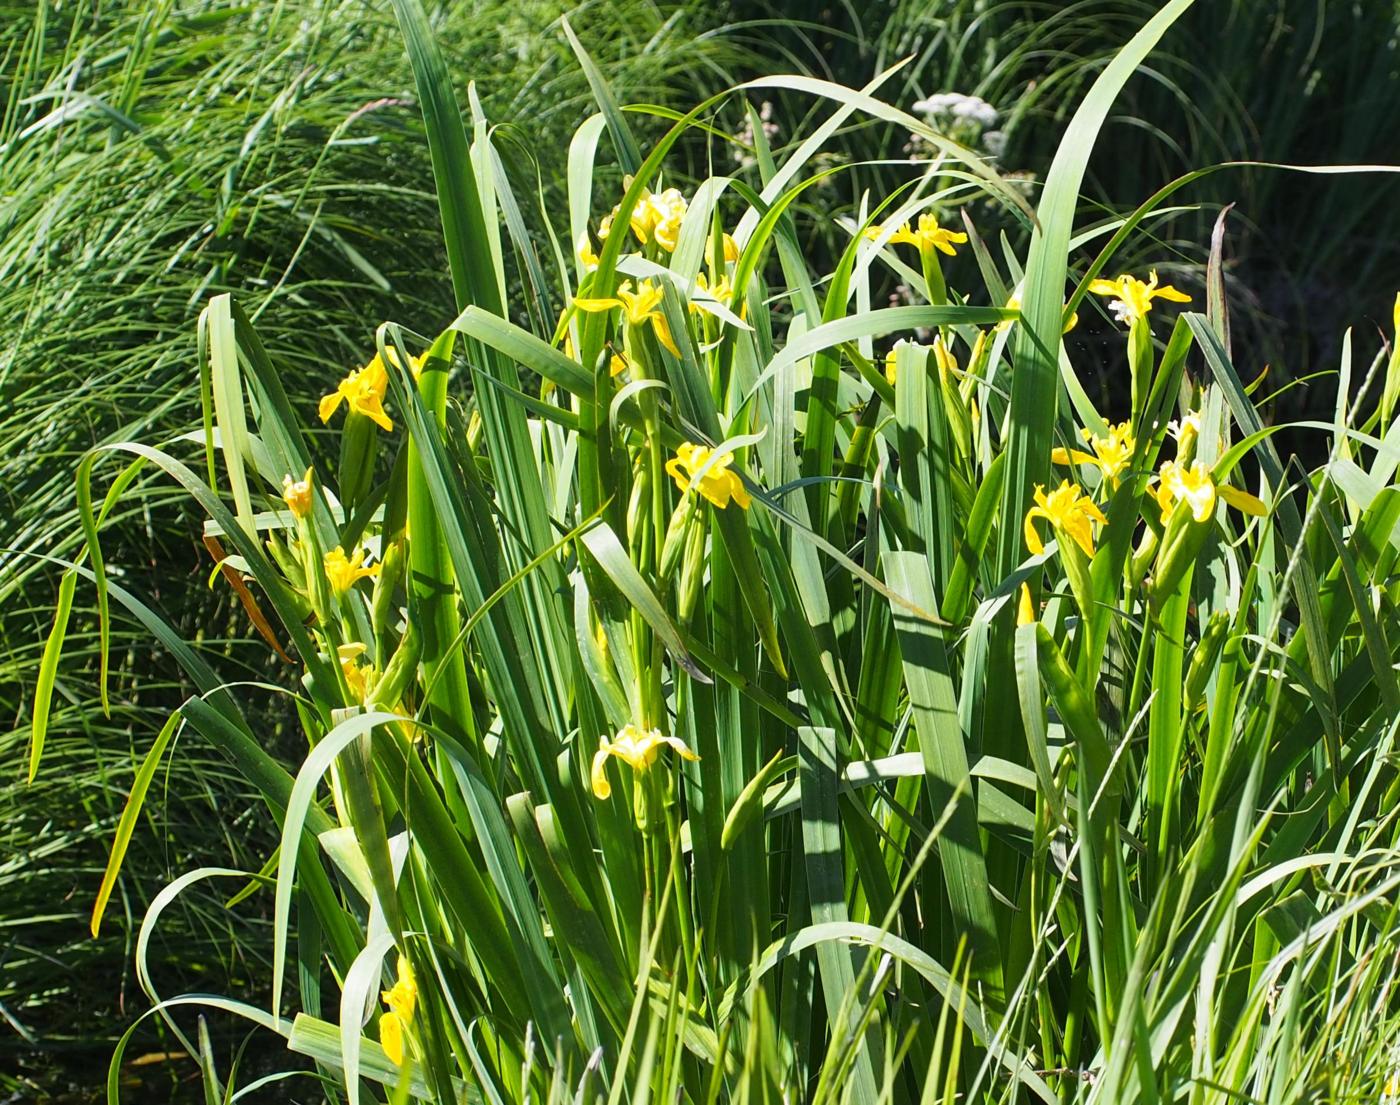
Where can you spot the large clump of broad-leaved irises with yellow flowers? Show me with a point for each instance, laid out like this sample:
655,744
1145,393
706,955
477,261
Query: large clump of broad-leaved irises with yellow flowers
737,691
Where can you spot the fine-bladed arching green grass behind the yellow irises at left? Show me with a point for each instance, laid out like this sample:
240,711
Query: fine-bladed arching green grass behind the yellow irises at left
155,156
